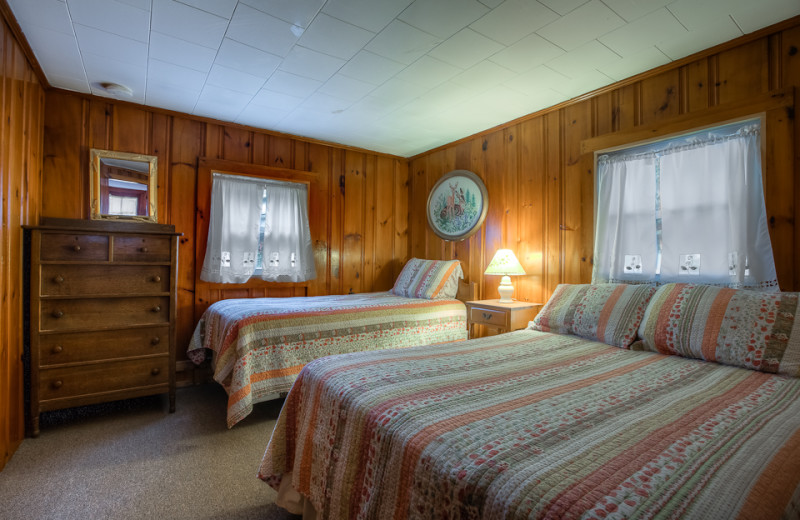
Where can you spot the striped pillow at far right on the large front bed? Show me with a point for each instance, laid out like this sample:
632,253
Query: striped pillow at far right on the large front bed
749,329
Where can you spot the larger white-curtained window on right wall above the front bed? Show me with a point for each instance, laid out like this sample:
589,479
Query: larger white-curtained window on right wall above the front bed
689,209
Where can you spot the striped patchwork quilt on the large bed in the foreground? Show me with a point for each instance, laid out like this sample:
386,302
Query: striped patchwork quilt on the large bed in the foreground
537,425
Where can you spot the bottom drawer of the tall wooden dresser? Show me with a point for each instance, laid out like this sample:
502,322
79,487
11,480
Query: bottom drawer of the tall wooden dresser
58,383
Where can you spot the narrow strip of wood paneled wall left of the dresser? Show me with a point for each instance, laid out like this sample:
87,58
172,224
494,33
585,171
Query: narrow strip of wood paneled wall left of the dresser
21,114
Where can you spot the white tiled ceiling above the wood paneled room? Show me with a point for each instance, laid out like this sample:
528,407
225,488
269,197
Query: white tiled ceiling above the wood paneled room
395,76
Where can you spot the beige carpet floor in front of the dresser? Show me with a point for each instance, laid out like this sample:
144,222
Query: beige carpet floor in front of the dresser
133,460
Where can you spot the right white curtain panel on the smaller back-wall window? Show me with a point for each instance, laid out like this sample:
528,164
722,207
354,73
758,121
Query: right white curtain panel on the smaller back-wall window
287,252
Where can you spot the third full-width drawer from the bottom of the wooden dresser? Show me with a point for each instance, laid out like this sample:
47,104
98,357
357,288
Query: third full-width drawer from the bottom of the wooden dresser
103,313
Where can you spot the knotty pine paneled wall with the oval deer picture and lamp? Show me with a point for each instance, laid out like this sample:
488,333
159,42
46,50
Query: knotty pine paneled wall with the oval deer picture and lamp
541,184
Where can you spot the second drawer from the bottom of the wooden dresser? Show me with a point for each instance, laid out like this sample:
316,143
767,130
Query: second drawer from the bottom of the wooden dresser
78,347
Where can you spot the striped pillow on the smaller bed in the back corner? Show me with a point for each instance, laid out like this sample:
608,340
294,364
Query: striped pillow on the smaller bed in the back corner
431,279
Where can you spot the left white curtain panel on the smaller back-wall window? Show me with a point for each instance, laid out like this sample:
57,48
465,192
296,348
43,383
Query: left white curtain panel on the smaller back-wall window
233,230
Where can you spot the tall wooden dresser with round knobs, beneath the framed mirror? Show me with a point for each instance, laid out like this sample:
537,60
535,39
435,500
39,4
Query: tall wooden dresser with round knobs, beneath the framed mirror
102,313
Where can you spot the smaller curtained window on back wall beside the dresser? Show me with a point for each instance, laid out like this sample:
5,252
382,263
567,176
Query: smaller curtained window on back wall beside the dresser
258,227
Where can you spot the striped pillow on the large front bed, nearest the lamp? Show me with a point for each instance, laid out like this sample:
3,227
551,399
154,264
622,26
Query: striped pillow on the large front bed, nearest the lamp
610,312
